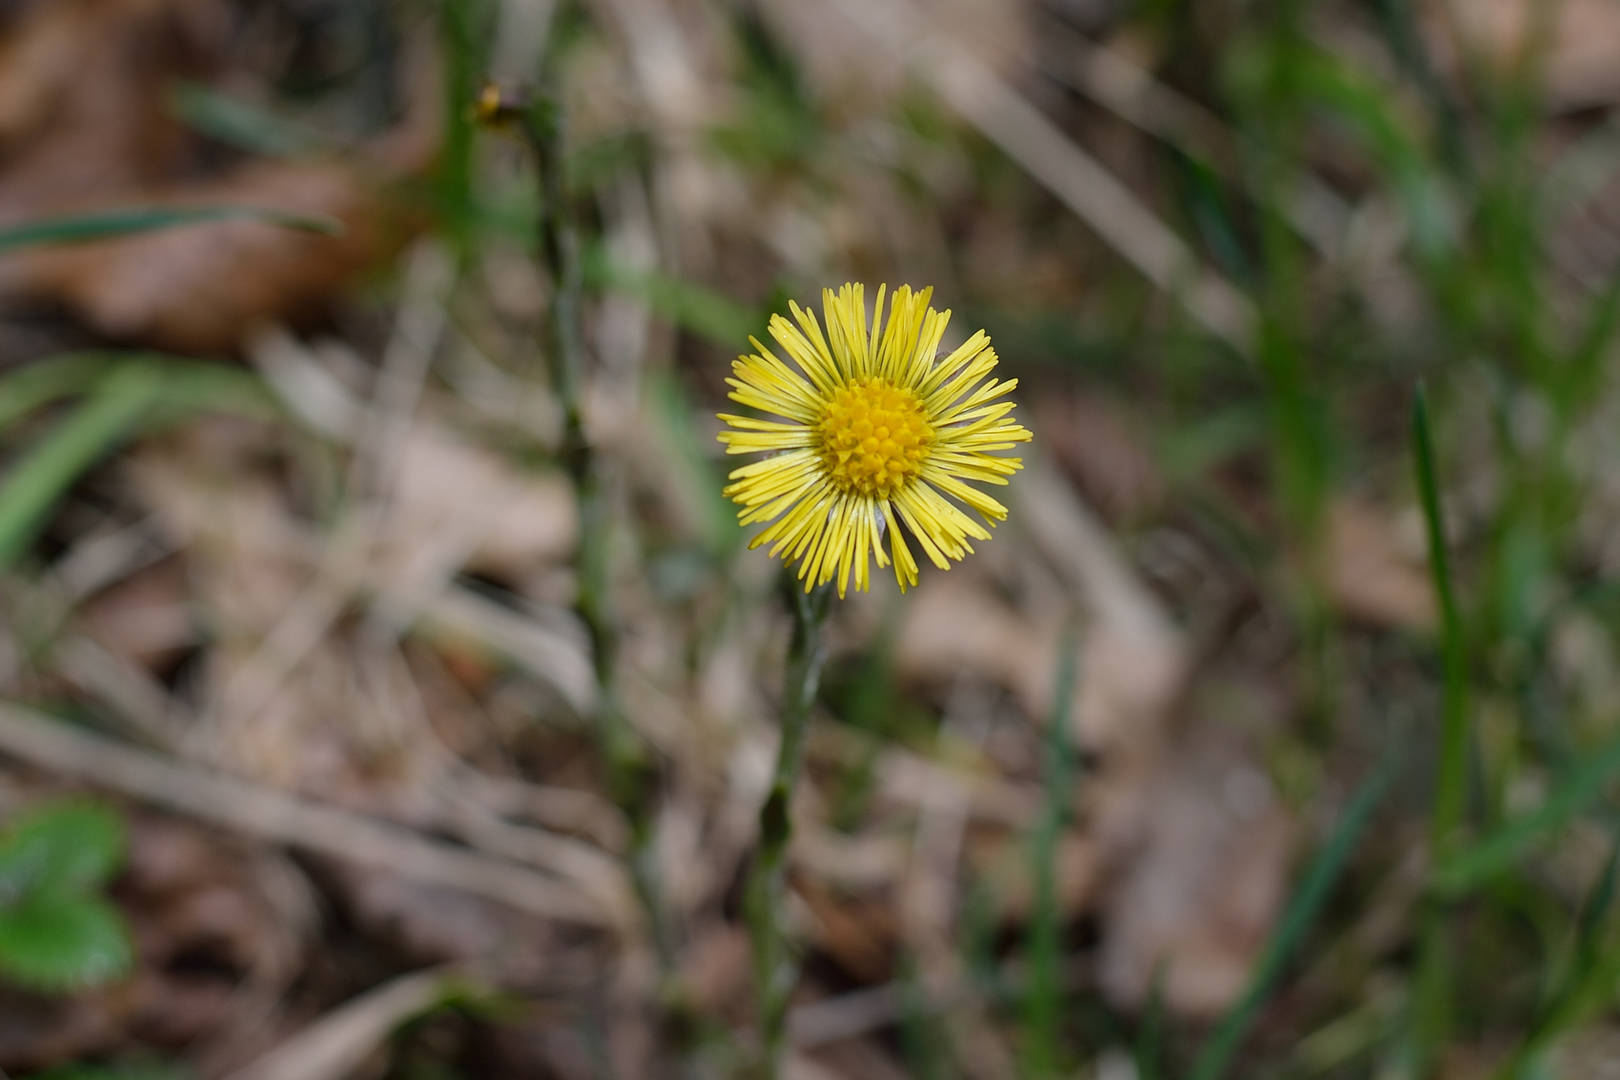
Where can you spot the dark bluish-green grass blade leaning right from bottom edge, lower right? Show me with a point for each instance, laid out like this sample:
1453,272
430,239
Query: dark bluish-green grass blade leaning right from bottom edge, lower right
1313,893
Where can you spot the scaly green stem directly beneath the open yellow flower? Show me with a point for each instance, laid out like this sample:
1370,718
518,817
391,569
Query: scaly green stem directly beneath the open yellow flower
774,966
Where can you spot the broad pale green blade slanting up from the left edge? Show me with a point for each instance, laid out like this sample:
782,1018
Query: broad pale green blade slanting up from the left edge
51,467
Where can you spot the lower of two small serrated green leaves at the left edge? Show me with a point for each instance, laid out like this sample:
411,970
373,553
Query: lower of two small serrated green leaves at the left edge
58,943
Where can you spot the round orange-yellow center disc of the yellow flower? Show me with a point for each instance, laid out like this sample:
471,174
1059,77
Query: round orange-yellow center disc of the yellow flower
874,438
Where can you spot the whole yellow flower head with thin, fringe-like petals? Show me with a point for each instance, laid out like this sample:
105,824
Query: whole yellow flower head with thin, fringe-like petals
879,432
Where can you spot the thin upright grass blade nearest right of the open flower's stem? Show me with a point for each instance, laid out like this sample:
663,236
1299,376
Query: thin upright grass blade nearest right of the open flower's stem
1044,992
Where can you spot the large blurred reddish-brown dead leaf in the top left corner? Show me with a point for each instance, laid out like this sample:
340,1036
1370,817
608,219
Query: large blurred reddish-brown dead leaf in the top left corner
85,125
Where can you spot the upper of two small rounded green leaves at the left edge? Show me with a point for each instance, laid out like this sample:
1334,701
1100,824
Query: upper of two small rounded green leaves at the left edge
64,848
